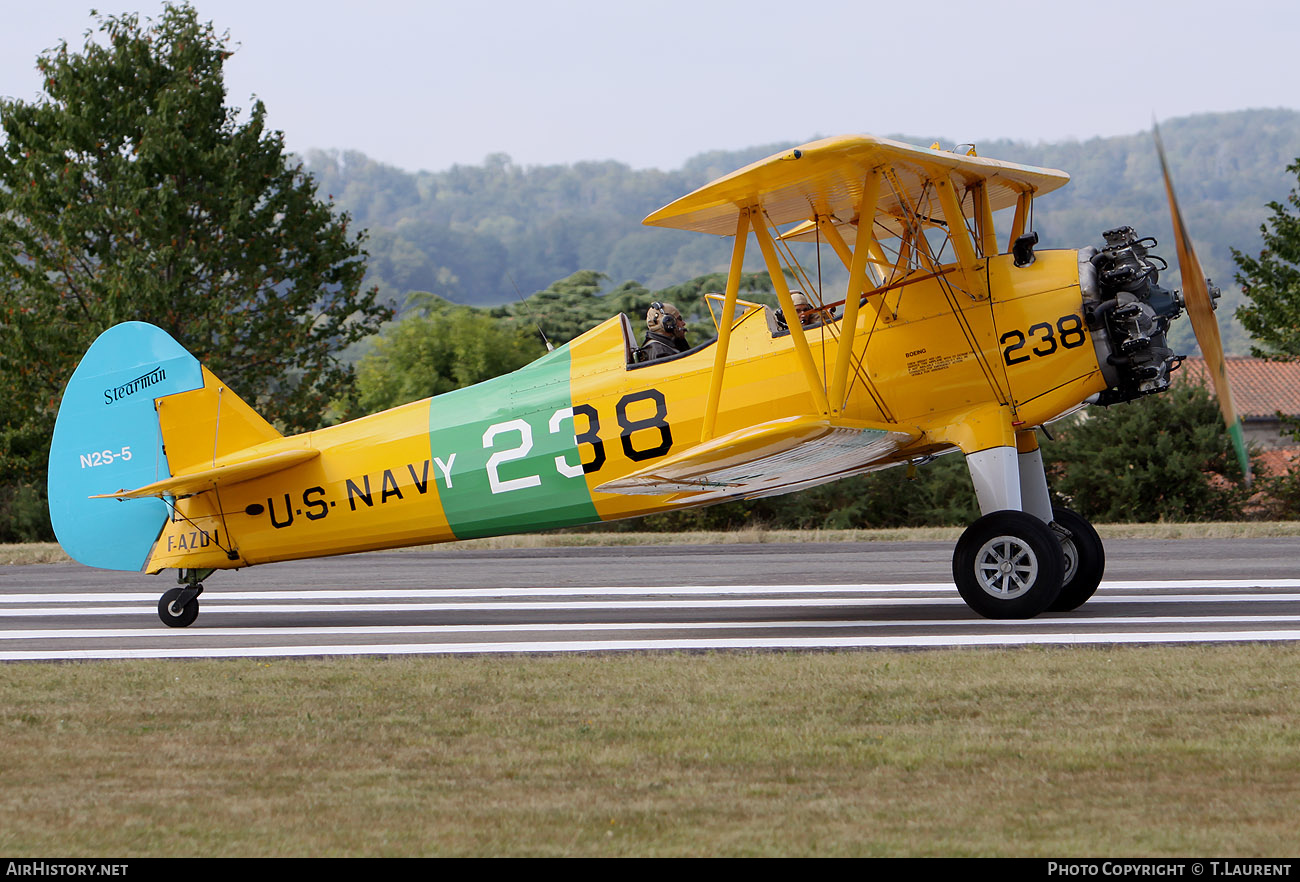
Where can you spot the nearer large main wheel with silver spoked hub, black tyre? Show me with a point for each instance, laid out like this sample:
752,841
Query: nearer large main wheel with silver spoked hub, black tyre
1009,565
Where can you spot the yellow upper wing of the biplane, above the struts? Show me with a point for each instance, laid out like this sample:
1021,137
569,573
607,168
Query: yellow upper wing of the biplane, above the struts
826,179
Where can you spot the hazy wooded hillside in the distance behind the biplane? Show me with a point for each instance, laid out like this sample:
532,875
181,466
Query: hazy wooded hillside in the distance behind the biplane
475,232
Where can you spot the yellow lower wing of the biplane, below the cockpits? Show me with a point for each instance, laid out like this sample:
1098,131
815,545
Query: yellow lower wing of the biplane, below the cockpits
768,459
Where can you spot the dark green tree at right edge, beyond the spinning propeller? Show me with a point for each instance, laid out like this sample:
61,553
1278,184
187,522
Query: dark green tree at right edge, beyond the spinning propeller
1272,283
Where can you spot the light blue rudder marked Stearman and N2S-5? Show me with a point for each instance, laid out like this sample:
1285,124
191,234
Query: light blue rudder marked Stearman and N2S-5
107,438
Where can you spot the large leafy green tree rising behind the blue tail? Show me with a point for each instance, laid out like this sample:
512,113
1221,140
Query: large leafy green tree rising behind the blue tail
131,192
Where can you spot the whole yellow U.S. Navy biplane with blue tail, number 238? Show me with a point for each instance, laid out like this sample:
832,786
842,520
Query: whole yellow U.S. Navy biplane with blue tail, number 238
950,338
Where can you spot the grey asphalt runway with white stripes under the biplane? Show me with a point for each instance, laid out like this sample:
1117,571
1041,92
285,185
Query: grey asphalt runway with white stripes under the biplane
805,596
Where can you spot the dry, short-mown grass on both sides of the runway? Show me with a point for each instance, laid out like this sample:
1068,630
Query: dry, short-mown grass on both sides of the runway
1145,751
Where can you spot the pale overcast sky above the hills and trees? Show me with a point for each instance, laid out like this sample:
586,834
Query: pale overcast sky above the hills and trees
426,85
